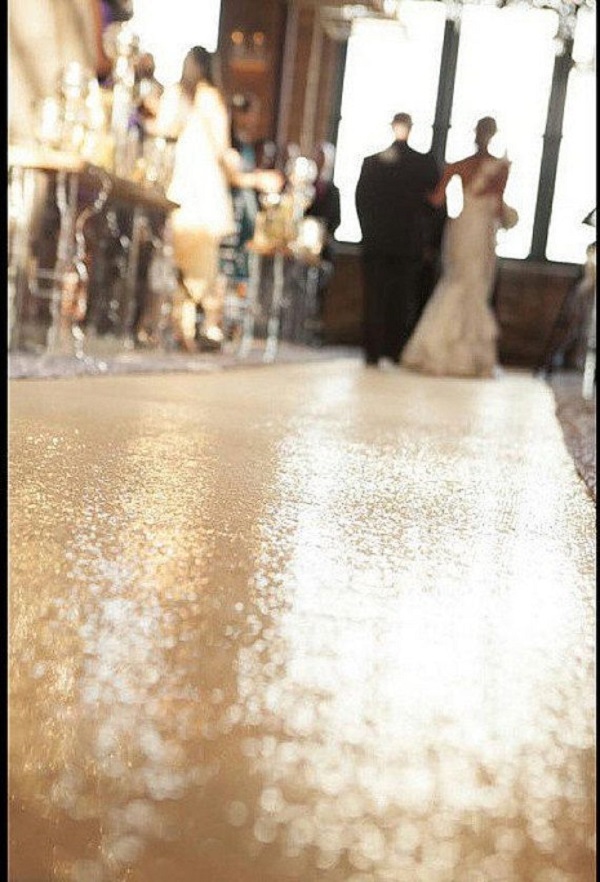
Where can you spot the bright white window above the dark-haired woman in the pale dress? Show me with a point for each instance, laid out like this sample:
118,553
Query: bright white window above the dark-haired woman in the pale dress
169,30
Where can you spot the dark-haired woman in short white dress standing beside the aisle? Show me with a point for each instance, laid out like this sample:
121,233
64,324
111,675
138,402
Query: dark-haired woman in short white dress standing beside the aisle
194,112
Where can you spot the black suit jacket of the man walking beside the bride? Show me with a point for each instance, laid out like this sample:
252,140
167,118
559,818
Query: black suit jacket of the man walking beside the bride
394,214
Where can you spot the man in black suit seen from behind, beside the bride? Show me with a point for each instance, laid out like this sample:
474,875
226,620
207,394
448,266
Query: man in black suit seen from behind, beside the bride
399,232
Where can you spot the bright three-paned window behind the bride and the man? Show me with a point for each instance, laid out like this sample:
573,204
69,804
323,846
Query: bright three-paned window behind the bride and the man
504,69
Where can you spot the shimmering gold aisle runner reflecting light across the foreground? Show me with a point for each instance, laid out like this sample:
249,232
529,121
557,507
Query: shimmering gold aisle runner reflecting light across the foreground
309,622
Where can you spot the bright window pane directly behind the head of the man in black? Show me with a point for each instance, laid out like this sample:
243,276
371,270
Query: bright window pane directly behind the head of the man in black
390,67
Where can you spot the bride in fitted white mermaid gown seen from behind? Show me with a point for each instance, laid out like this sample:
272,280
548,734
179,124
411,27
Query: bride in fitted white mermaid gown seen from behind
456,335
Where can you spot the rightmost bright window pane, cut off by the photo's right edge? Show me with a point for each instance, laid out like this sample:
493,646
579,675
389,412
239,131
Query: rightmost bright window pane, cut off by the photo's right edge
575,192
